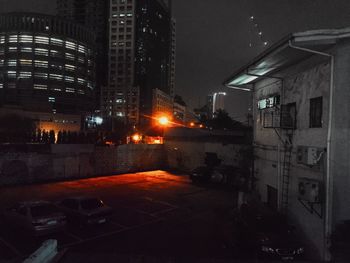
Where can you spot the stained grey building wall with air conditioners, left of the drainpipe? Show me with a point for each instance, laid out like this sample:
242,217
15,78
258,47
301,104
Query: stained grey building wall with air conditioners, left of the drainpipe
301,83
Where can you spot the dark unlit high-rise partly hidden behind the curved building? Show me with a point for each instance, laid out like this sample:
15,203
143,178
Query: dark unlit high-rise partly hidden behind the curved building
93,14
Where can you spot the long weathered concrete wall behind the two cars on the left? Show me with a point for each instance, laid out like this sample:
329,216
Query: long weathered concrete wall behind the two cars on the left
62,162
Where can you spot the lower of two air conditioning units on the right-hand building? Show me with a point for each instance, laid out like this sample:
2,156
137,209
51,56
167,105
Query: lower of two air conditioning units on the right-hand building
309,190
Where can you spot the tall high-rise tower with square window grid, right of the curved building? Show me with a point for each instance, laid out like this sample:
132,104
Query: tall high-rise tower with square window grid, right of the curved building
140,58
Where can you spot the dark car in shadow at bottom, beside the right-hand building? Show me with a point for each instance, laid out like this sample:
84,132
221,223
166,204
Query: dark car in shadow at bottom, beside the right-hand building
268,235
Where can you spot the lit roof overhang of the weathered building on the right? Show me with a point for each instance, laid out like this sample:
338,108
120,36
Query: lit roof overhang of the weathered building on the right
281,55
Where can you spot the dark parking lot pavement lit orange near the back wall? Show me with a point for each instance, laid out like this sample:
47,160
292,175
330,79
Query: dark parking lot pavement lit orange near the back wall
157,214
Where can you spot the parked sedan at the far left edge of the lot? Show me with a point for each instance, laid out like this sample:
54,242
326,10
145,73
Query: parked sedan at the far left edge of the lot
36,217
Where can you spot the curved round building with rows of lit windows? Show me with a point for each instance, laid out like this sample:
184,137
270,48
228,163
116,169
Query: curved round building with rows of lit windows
46,64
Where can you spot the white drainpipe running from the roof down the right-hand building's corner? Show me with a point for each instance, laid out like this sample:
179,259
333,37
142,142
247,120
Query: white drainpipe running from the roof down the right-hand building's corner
329,181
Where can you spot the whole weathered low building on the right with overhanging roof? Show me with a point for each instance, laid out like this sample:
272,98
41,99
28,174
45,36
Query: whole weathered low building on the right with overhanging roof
301,97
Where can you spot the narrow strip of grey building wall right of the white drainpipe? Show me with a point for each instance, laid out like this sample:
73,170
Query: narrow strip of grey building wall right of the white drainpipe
340,147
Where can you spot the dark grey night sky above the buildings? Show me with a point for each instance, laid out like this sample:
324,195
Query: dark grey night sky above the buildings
213,37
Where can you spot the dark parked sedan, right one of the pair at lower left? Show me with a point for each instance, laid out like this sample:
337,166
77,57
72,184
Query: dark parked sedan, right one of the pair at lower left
85,210
